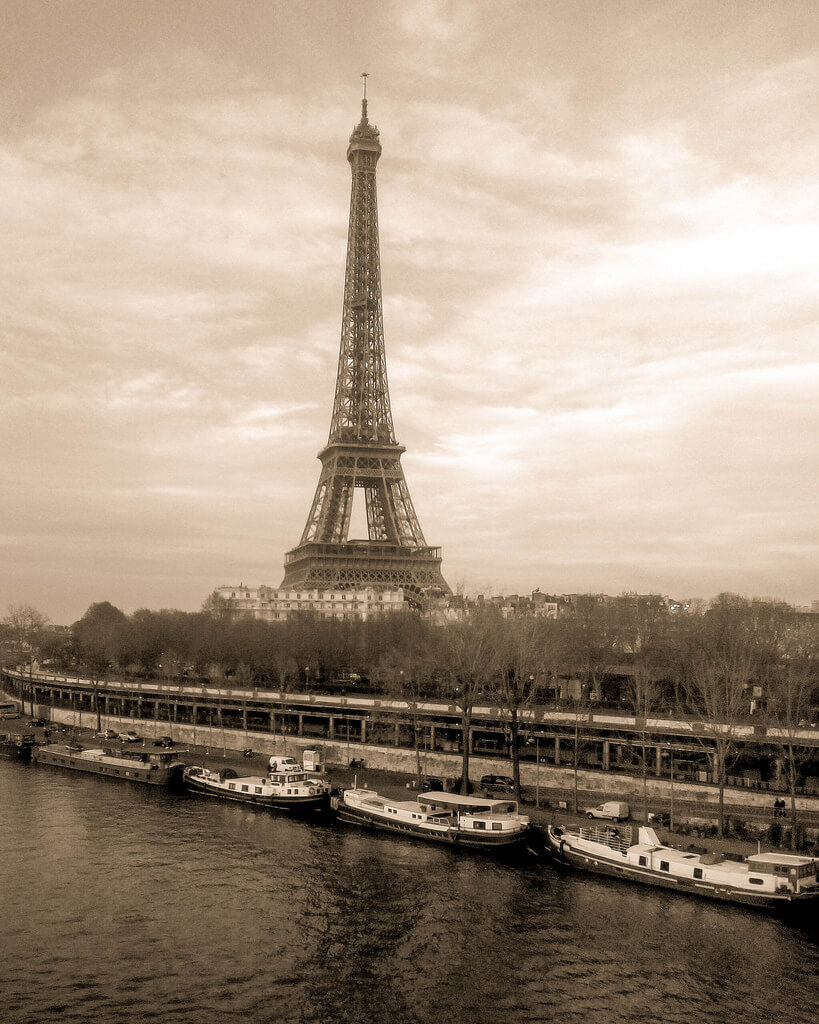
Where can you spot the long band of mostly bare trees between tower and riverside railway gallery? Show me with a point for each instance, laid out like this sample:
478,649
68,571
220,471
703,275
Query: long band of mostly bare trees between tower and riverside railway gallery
717,663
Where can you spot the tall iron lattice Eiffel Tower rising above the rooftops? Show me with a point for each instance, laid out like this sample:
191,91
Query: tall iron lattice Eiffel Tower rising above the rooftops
362,451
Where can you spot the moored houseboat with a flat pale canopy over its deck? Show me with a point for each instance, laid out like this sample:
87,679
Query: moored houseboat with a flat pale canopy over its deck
444,818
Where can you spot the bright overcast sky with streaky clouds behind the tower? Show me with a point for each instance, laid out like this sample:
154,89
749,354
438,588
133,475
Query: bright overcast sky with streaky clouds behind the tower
600,254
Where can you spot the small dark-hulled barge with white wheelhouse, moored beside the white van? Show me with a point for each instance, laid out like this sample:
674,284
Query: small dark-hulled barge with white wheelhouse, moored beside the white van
287,786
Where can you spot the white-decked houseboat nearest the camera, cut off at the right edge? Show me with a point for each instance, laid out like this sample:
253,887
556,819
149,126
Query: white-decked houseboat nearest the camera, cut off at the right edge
765,880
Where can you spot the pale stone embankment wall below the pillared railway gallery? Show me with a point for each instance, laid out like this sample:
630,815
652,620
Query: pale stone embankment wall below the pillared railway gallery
593,786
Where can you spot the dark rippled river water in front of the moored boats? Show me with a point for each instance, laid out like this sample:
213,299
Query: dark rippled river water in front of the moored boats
121,904
